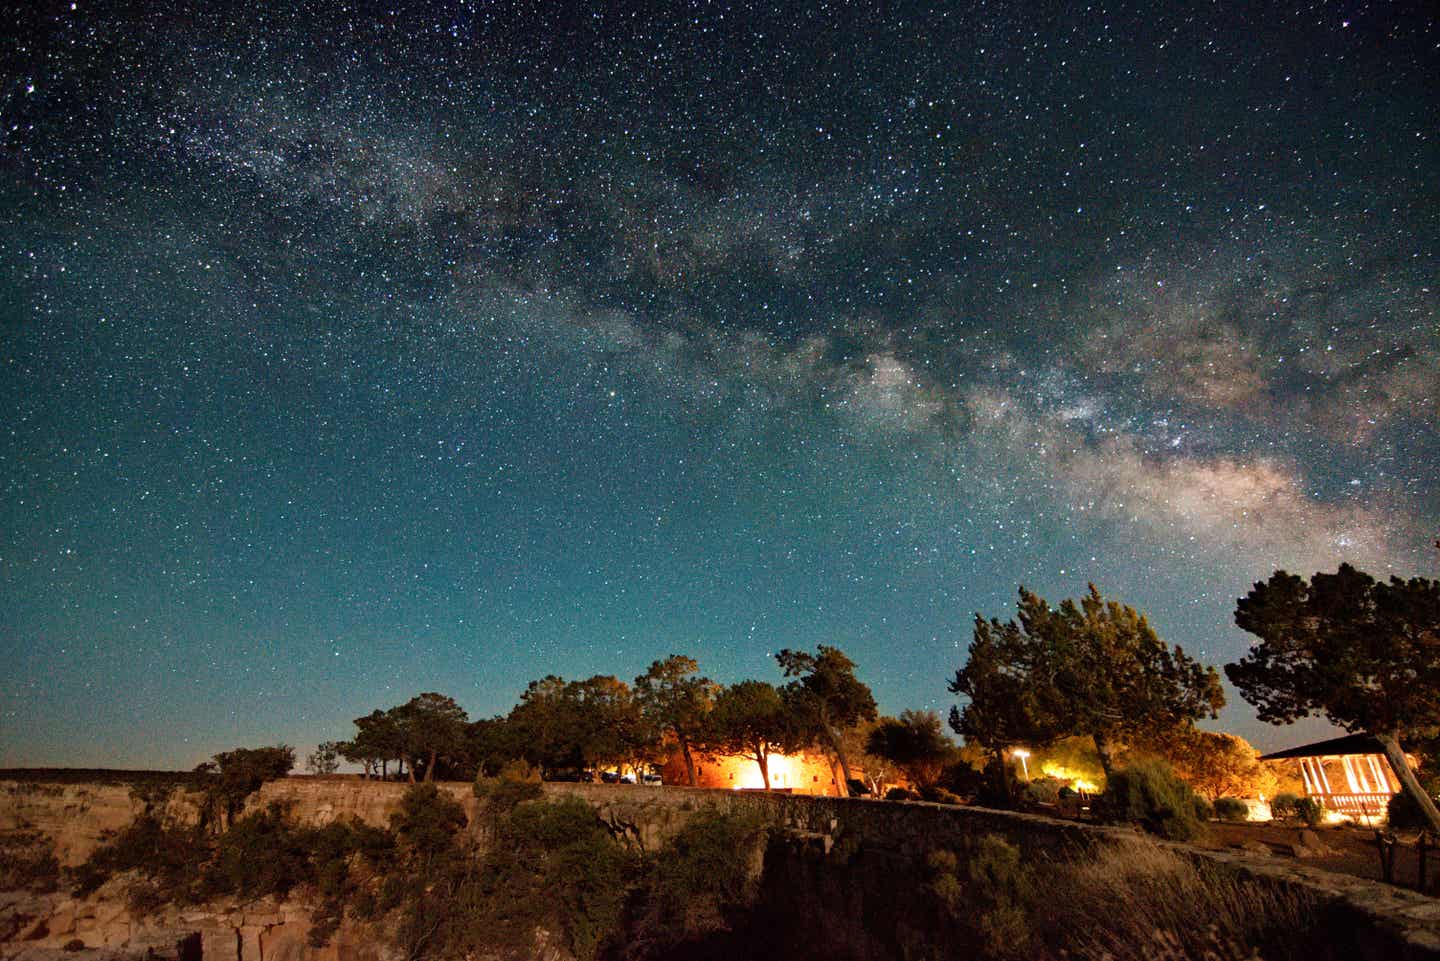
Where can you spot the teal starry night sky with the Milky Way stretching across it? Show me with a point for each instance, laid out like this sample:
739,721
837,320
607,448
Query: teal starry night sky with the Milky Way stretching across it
352,351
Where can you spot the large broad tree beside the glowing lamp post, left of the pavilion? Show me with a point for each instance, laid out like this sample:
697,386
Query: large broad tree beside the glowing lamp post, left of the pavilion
1094,669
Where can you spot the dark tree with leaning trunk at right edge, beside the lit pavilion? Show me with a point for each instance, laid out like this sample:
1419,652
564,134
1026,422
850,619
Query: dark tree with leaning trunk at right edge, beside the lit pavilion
1363,653
